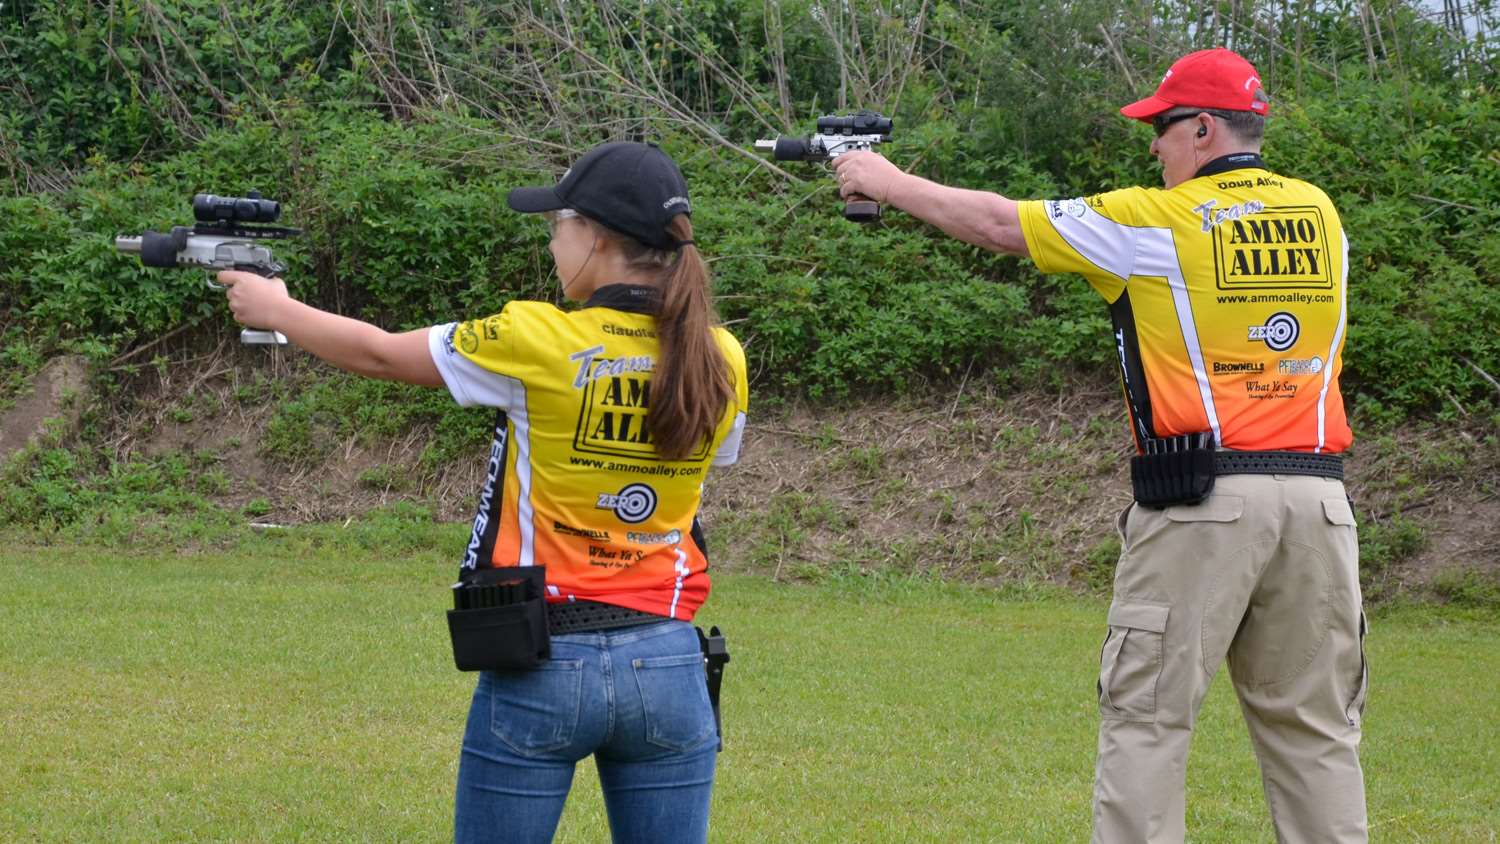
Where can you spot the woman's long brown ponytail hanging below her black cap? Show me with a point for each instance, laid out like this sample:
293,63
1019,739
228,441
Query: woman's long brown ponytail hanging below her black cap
692,383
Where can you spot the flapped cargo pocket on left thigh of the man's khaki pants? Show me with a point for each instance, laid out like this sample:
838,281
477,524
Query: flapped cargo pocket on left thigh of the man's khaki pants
1130,662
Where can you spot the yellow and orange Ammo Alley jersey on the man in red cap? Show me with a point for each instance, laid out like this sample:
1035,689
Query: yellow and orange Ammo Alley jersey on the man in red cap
1228,296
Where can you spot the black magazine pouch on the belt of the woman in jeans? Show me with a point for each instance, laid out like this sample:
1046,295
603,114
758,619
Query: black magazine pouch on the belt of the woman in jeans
500,620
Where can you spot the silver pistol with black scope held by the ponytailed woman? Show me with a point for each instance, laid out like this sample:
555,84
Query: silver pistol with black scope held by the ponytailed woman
227,236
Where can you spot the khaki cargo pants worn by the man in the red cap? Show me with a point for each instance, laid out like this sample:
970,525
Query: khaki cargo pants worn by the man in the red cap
1264,573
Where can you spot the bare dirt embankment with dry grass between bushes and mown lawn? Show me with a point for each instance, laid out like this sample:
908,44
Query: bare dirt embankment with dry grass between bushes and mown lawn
967,483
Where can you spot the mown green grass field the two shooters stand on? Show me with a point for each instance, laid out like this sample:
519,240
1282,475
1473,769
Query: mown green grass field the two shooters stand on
305,693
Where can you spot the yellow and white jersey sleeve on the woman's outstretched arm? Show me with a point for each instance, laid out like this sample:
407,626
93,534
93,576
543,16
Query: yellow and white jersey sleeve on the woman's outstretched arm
476,359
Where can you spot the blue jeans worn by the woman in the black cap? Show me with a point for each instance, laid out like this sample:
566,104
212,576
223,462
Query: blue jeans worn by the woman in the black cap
635,698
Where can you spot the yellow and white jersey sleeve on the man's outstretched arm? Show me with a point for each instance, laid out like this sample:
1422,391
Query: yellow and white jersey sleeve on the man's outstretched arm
1091,236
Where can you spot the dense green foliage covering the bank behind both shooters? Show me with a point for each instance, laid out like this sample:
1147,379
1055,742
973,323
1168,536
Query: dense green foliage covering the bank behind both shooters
392,133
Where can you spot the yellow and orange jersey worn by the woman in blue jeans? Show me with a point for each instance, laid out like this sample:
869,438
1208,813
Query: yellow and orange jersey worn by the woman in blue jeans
574,480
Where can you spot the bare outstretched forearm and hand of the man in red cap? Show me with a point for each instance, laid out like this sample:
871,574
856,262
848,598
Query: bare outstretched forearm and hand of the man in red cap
973,217
